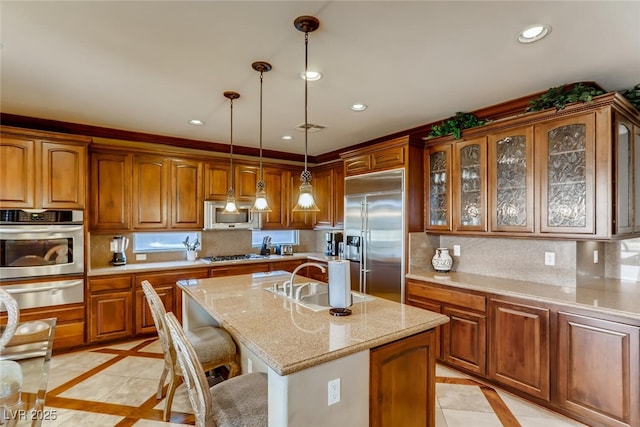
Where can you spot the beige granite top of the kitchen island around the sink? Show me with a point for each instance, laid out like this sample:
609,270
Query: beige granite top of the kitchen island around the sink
289,337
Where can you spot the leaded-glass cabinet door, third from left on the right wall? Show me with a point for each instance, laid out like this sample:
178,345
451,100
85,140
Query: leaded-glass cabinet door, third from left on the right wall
511,180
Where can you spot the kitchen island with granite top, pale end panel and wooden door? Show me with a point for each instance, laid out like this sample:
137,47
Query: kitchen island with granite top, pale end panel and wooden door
384,349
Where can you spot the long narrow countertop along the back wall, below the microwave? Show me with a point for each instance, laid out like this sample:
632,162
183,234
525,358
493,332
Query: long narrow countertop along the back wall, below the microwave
199,263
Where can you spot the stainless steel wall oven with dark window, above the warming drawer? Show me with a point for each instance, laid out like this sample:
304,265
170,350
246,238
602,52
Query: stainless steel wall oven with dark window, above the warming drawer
41,243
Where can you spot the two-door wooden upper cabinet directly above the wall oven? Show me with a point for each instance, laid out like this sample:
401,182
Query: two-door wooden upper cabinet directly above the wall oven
42,170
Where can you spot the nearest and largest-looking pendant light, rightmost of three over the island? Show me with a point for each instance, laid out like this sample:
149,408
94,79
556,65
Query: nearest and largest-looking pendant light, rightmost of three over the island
306,202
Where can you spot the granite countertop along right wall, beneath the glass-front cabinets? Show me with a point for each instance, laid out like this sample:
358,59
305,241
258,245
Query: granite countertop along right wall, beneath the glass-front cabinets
610,296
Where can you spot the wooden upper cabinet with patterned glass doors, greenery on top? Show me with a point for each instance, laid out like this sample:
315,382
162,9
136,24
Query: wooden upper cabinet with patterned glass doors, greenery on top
566,174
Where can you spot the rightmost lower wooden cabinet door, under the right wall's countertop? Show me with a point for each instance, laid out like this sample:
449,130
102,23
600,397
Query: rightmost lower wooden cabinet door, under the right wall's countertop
599,369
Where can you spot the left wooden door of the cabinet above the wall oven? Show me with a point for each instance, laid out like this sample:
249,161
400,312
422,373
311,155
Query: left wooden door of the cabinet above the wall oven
17,173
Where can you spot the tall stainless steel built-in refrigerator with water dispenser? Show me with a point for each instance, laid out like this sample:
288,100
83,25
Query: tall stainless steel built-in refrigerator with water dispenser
374,233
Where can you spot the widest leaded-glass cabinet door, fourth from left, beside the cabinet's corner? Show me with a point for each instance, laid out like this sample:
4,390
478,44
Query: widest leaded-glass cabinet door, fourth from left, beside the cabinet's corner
566,158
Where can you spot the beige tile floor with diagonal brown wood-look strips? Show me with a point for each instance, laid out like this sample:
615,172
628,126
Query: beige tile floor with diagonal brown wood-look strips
116,386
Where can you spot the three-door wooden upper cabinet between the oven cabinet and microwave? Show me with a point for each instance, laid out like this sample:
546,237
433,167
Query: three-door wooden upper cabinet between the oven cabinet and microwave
145,192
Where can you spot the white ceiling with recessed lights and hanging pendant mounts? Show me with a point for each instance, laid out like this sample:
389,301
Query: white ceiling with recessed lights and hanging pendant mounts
150,66
